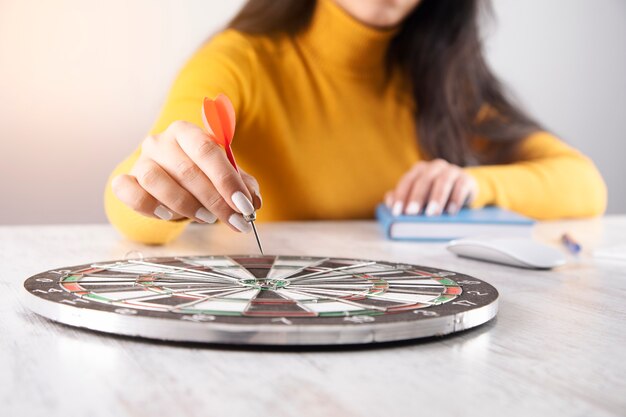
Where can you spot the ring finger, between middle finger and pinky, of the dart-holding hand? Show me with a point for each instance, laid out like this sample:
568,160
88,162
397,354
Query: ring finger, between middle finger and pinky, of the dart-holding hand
153,179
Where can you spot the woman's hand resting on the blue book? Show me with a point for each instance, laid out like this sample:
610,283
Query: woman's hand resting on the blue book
432,187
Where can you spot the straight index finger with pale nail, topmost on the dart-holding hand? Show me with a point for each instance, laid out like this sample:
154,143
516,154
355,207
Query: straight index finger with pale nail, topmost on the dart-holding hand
212,160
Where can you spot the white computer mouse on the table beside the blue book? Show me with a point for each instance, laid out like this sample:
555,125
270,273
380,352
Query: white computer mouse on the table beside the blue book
520,252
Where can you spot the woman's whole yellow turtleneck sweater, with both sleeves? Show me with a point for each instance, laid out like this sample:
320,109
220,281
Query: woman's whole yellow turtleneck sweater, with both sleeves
326,135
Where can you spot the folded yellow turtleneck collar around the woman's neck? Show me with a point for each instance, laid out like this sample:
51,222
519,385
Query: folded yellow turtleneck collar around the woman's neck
342,42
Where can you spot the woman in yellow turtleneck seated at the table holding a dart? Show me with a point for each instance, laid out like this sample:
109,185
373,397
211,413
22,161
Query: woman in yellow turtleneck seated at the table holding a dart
339,103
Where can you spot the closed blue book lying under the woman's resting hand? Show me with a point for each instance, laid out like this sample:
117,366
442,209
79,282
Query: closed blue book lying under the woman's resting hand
489,222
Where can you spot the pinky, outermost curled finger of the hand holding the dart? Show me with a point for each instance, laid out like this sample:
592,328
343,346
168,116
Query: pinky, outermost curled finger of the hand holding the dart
128,191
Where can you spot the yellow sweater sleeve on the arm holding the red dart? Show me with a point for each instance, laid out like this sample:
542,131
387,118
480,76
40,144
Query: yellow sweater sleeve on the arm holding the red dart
222,65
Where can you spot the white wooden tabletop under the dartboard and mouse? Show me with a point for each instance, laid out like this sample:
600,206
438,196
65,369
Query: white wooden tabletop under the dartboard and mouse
557,347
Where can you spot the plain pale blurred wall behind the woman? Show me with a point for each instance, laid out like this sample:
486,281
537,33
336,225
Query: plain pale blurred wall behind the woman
82,81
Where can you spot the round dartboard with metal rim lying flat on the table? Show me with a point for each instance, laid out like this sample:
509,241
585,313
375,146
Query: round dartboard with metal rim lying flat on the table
263,300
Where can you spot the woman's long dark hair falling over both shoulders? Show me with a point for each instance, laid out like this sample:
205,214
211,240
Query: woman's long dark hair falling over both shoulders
439,49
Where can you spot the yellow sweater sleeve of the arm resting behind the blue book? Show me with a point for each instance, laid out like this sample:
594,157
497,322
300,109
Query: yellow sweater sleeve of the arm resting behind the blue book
550,180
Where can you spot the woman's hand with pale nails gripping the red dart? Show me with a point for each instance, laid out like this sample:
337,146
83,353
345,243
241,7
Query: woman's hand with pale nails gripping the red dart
181,173
